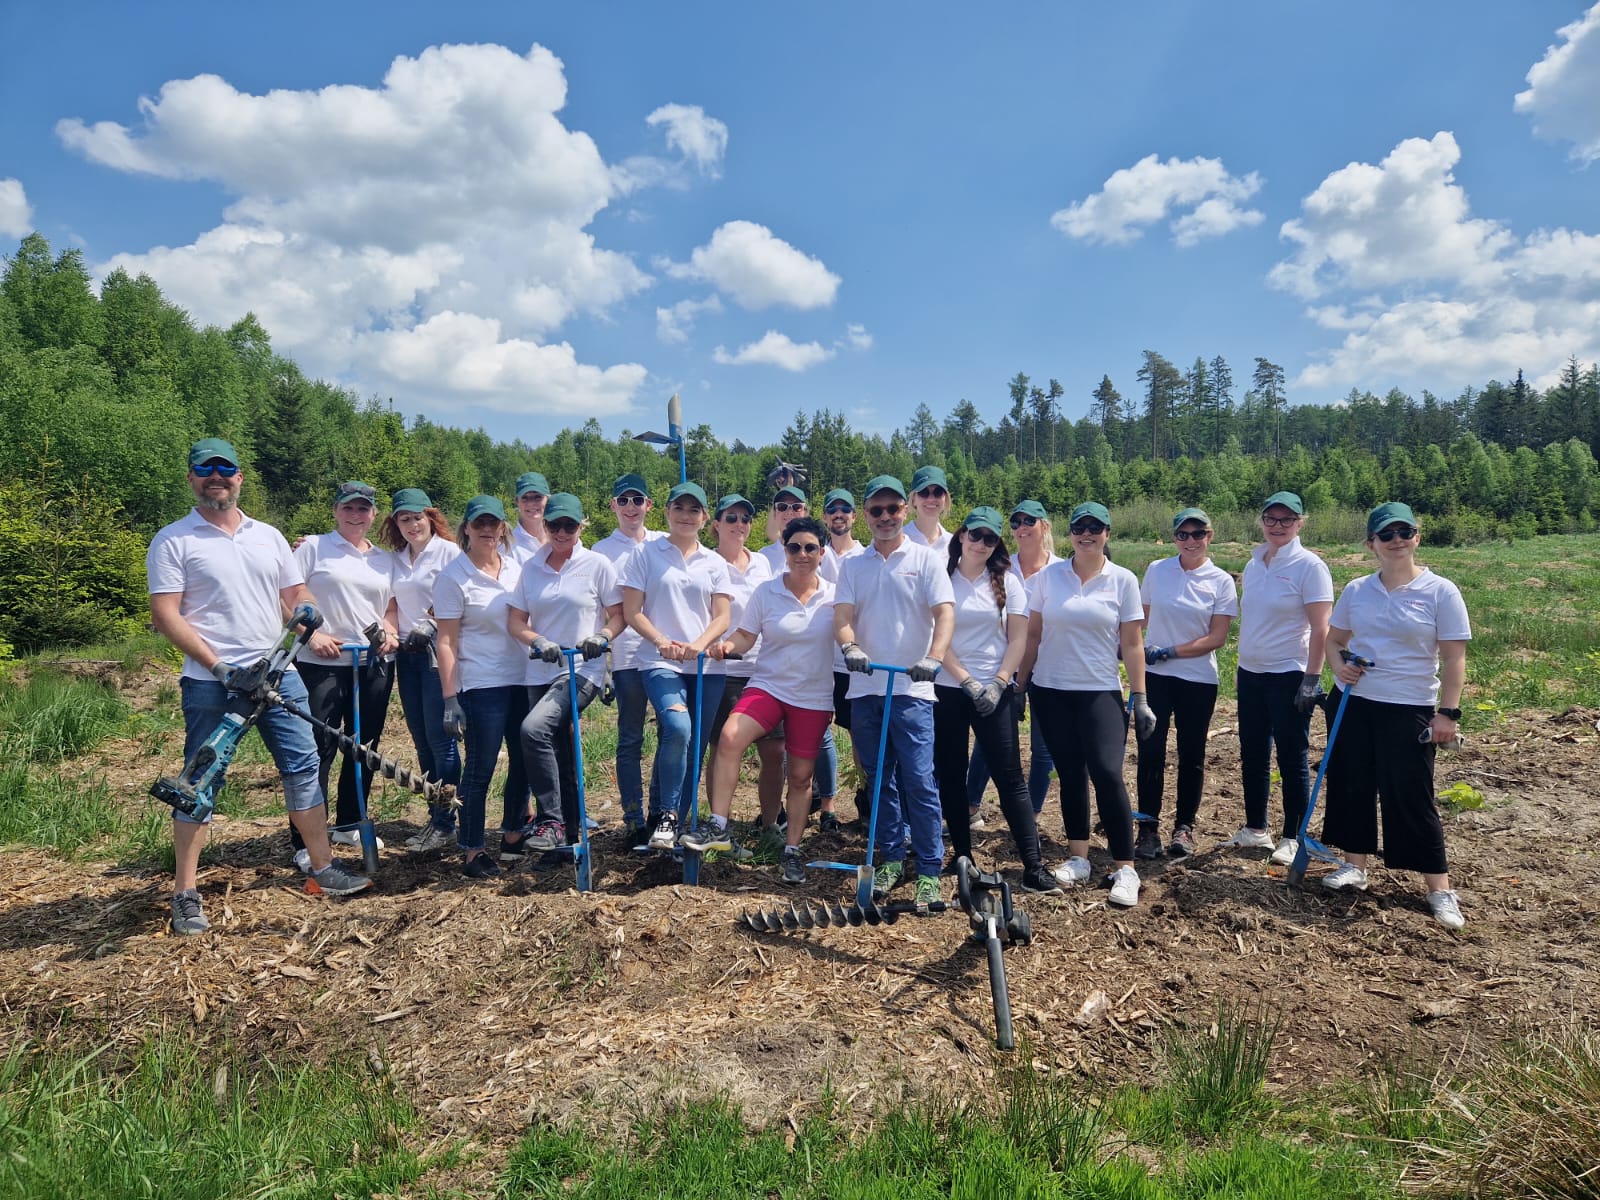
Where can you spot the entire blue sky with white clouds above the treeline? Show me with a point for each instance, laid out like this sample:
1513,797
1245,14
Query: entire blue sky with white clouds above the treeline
524,215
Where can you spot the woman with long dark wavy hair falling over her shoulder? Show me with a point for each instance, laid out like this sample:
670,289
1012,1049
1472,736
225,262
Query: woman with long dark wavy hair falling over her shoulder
974,694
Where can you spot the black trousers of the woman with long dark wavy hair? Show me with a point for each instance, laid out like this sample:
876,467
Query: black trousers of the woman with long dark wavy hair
998,735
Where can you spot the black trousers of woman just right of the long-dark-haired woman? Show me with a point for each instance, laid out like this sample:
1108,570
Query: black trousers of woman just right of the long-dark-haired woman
1089,732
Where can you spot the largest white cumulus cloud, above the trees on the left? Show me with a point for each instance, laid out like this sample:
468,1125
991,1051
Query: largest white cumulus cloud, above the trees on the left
370,225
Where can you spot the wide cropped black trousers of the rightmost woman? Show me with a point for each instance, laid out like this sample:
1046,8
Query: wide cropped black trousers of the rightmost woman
1380,764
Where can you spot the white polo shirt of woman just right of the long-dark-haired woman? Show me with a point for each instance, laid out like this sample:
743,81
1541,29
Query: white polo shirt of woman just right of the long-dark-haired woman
1082,625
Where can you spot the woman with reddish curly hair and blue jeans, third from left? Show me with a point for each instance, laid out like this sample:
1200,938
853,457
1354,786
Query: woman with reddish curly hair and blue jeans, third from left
423,545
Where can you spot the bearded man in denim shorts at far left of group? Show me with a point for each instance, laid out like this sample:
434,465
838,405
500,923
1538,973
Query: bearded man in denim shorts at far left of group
218,588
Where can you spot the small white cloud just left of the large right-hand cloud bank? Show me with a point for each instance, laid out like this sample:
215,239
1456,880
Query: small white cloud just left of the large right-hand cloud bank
1209,202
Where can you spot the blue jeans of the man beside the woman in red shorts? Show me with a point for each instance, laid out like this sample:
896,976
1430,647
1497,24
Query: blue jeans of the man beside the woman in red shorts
908,764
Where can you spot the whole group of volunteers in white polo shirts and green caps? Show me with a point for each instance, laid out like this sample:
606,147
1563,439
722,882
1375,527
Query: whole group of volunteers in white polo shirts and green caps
774,649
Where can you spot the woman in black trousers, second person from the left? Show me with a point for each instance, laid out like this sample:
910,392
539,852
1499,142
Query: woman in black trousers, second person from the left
350,577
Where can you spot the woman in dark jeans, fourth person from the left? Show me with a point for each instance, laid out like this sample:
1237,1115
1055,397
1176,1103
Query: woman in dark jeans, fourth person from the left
481,671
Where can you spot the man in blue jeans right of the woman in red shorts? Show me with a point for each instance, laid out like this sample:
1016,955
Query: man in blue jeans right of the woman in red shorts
895,606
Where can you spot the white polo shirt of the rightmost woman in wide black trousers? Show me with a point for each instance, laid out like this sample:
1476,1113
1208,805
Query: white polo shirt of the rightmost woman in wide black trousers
1401,631
